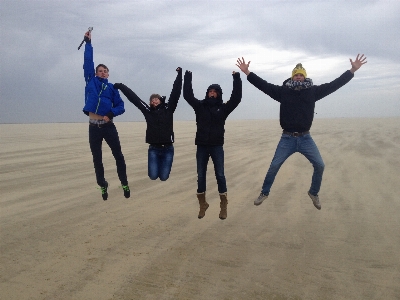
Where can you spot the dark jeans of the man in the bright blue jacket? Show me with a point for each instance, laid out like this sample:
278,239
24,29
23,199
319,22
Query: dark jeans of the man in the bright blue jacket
110,135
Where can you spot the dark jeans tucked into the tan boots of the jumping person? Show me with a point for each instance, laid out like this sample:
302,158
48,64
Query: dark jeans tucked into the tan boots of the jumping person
217,155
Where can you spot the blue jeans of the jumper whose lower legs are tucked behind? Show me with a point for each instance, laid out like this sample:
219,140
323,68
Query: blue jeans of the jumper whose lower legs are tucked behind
160,162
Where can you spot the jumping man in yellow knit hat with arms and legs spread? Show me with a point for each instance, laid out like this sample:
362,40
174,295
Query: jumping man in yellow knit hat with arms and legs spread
297,97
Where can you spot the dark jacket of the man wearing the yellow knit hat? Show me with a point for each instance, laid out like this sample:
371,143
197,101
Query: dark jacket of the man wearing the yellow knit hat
297,106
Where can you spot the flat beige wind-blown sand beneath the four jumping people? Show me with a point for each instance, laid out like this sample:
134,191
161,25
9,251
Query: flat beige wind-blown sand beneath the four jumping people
60,240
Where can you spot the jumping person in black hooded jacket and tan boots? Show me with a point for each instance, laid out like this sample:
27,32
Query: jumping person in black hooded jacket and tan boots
211,114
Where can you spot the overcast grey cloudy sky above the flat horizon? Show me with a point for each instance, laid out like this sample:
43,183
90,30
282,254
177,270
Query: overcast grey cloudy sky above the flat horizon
143,42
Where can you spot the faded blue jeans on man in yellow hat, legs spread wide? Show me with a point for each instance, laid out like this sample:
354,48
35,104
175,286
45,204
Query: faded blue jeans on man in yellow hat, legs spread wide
286,147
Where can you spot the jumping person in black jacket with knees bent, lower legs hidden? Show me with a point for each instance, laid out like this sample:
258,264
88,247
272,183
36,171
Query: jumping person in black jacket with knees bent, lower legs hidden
160,131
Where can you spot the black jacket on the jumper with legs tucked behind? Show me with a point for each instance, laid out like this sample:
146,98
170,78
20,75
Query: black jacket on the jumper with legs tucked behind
159,120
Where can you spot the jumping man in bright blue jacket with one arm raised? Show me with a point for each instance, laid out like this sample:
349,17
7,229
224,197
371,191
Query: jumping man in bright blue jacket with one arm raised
102,104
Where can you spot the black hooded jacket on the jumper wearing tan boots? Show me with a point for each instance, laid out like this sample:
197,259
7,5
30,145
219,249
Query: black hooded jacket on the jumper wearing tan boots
211,113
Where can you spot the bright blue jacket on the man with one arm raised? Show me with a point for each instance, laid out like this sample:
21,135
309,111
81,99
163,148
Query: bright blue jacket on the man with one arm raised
100,96
